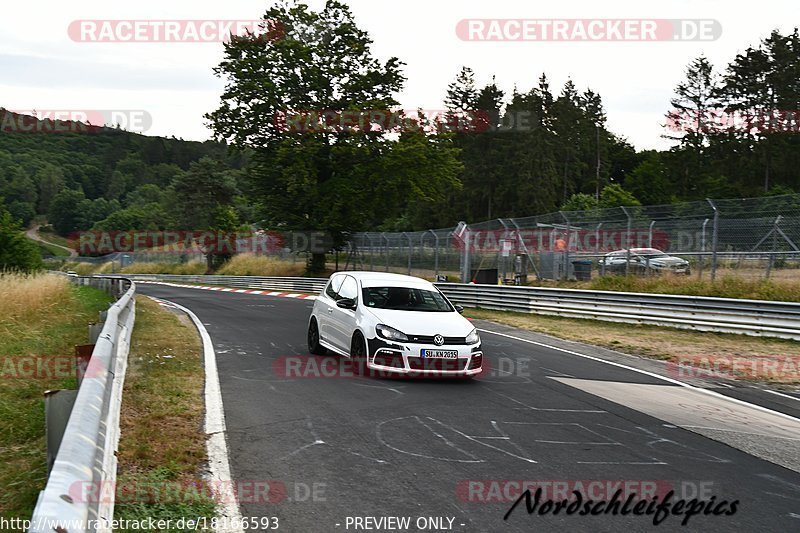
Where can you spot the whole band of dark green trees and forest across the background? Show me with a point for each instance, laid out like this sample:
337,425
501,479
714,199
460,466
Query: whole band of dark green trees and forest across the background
350,181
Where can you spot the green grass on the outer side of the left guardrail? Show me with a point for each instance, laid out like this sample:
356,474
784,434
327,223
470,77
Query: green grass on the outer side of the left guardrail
45,331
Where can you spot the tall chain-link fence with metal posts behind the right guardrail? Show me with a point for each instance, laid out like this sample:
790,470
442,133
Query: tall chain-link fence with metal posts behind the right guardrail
748,237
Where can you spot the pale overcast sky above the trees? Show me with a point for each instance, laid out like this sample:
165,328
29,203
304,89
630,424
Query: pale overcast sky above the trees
42,68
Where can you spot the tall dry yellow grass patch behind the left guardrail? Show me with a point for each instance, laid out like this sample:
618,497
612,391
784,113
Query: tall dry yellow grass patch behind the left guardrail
23,296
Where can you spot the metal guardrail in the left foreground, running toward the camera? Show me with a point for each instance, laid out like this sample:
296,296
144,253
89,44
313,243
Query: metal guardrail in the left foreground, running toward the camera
86,463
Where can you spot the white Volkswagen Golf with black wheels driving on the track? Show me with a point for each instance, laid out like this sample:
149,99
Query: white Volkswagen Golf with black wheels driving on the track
394,324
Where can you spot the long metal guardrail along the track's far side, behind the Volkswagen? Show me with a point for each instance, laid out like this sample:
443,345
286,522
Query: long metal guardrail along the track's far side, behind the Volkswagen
725,315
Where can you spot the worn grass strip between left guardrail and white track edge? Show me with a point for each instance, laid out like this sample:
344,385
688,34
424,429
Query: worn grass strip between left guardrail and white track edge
162,445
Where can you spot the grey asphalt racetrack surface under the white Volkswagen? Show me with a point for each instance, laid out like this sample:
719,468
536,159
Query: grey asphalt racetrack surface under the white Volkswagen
346,453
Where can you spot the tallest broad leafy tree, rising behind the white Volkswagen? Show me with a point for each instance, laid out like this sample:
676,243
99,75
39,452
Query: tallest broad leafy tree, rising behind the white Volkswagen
323,62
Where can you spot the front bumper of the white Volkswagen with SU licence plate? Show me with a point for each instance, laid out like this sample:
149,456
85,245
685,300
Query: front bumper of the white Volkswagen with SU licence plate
405,359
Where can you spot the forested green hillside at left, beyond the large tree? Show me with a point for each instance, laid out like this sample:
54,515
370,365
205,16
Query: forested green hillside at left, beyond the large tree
42,161
